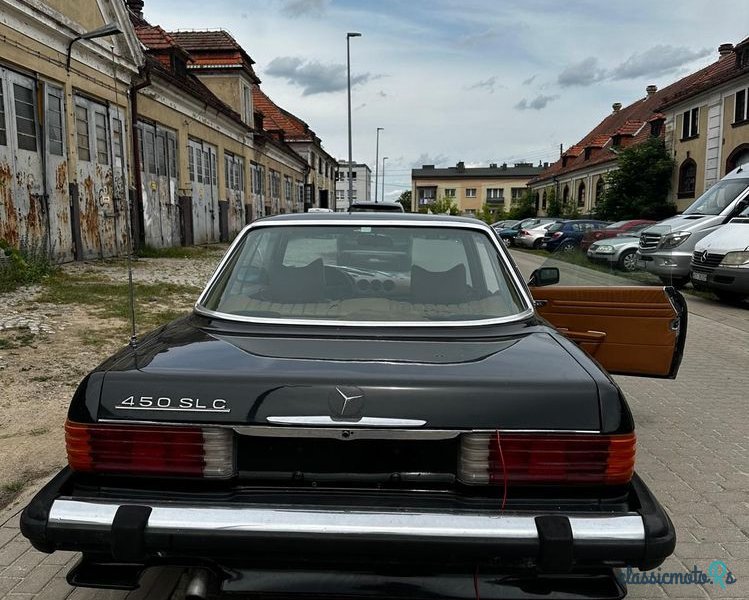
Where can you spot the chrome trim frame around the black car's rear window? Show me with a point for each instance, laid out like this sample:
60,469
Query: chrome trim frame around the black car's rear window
502,252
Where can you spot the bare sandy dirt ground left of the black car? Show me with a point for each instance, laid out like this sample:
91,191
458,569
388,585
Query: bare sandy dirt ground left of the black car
46,348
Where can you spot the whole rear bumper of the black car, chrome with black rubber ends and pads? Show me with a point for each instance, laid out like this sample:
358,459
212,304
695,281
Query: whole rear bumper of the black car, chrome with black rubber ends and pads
139,531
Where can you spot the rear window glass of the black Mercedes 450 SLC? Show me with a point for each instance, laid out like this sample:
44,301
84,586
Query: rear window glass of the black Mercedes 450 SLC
365,273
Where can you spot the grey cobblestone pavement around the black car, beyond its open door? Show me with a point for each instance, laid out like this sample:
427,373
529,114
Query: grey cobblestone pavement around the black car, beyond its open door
693,451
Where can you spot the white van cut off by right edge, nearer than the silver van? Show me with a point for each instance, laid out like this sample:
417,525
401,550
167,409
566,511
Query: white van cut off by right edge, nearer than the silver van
720,262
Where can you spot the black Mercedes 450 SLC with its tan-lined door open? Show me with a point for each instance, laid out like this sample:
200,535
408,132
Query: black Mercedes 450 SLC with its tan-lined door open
370,405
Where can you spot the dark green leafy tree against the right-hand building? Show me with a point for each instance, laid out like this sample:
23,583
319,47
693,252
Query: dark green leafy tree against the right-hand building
638,188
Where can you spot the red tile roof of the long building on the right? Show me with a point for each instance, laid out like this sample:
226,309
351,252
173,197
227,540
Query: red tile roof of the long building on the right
632,121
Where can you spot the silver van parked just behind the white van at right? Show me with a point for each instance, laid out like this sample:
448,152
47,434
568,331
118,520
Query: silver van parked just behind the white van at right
666,248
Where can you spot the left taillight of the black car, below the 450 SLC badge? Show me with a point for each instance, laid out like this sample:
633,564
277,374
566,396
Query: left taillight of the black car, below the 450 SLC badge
150,450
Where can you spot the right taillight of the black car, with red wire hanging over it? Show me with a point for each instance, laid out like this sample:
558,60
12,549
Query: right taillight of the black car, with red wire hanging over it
547,458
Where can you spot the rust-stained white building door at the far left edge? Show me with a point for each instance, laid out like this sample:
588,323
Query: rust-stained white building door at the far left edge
24,220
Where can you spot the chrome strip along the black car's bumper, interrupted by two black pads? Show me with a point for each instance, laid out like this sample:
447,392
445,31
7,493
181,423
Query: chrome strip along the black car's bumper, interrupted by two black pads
67,513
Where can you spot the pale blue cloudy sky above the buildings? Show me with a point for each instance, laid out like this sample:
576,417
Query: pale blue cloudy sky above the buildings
477,81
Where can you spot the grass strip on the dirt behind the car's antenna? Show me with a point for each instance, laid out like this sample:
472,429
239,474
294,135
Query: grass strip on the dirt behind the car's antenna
155,303
